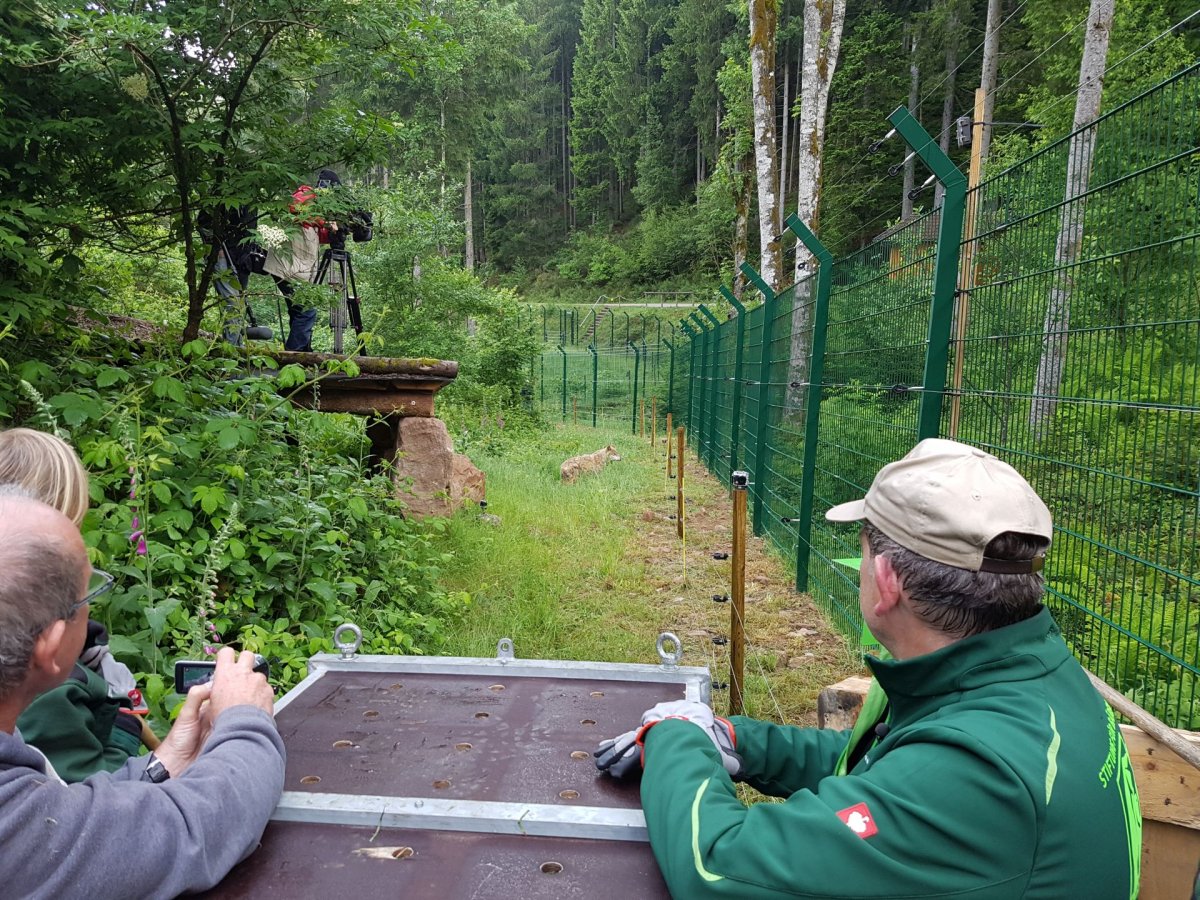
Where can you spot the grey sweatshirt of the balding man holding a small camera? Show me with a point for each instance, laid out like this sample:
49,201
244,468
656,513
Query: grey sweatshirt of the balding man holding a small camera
115,836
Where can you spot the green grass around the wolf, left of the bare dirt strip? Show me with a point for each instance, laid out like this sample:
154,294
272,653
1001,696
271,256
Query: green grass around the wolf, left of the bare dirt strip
556,574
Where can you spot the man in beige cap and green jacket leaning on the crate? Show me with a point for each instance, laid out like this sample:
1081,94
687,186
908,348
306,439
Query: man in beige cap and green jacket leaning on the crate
989,767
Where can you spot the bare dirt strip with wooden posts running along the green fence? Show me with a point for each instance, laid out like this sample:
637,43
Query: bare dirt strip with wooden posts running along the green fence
791,651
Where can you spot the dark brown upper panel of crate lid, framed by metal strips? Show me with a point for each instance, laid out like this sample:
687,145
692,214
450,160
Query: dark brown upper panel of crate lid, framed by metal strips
521,739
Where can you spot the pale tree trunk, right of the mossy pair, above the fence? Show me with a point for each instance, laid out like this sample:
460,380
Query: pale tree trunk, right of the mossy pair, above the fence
824,22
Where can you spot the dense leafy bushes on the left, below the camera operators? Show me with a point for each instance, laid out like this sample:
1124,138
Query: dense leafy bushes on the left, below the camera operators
257,519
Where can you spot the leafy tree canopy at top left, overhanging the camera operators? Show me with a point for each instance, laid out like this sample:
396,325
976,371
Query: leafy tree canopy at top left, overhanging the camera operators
119,119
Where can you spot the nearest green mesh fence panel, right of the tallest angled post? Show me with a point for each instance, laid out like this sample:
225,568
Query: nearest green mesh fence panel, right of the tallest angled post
1079,368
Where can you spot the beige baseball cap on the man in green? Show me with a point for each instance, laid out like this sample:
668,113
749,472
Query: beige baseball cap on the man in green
947,501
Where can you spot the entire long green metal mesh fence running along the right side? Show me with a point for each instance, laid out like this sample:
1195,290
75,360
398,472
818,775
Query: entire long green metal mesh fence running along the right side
1076,359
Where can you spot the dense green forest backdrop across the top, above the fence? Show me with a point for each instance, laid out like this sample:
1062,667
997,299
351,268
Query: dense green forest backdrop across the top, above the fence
611,142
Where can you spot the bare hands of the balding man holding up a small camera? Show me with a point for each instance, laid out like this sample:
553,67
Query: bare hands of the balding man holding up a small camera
235,683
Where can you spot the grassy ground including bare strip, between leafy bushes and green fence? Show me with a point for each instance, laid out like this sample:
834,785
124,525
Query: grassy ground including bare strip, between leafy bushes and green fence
574,572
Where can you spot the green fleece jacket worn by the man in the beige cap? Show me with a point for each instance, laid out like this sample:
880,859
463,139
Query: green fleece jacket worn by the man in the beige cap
1000,775
